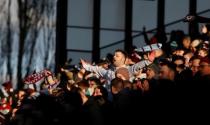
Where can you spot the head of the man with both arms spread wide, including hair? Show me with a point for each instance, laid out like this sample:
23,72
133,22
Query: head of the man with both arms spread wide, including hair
119,58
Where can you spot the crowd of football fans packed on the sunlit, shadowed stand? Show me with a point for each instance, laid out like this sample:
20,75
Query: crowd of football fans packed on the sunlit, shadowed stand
126,87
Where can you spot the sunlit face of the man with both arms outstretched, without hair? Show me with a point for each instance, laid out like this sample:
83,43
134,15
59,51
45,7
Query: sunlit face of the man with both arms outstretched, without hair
118,59
